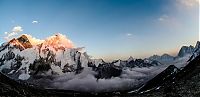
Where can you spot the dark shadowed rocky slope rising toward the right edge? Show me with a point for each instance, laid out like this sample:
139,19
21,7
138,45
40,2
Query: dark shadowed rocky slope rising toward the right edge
175,82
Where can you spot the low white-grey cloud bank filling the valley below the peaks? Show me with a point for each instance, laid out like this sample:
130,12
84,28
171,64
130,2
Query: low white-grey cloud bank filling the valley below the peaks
86,82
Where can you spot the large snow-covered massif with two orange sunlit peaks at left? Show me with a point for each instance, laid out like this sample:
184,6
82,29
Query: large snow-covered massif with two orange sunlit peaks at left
20,57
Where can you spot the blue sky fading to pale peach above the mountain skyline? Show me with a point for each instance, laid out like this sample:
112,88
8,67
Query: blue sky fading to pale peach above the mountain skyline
108,29
